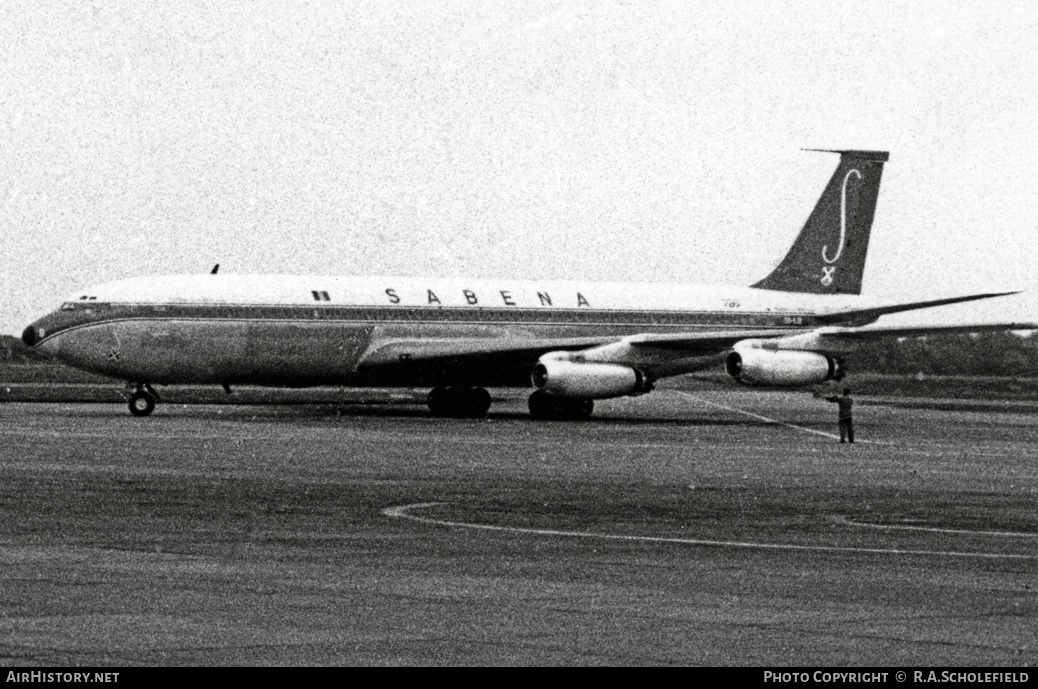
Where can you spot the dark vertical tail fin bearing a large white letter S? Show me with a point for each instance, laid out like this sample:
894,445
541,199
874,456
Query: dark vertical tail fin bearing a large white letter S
829,255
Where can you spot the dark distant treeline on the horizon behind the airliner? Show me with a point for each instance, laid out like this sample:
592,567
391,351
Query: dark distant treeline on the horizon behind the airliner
985,354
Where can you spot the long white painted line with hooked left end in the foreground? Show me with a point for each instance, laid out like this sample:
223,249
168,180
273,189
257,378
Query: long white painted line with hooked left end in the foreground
403,512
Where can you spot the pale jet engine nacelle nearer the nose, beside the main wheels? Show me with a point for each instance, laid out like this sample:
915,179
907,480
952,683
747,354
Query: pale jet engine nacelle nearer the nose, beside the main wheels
588,380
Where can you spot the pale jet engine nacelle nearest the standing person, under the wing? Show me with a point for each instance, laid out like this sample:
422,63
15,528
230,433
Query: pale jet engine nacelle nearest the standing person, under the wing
755,367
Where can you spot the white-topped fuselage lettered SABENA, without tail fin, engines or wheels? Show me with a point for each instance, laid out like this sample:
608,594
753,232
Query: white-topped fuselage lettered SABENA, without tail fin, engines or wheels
309,332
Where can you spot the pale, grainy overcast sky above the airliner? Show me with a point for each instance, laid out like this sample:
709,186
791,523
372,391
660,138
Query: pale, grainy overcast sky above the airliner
606,142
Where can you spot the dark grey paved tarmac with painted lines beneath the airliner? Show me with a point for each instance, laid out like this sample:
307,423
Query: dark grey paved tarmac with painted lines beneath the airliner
675,529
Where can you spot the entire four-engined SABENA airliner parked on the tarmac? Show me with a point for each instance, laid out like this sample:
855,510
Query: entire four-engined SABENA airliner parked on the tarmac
573,343
